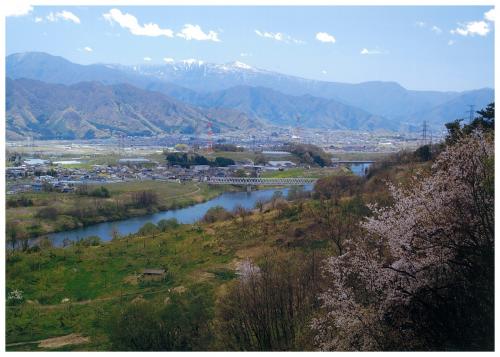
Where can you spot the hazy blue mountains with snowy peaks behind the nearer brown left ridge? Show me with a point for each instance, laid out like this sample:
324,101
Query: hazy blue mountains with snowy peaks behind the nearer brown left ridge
264,96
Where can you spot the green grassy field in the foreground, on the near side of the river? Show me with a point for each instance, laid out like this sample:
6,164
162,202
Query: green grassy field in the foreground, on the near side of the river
74,289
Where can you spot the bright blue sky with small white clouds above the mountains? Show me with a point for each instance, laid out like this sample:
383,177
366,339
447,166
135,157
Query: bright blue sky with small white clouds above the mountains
422,48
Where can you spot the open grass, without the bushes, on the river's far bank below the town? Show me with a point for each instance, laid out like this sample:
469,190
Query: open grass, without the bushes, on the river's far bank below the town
170,195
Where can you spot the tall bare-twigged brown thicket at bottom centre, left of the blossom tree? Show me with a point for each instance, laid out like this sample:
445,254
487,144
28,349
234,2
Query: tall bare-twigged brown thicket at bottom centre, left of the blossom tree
269,307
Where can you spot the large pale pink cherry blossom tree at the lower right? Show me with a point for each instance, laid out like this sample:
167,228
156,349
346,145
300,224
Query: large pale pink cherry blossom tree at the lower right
421,277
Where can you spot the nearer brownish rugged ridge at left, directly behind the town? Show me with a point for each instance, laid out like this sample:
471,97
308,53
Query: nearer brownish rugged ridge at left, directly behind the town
93,110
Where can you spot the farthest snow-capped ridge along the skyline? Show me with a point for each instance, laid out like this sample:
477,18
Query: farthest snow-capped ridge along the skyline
388,99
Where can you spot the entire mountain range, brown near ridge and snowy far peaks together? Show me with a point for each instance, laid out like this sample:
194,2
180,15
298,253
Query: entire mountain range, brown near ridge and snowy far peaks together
139,100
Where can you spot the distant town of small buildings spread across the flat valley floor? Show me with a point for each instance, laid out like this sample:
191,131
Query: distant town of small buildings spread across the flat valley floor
35,166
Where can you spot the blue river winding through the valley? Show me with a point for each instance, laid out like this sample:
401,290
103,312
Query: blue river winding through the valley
191,214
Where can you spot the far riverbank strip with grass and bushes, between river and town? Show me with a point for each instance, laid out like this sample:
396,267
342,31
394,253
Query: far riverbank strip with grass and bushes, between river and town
31,215
